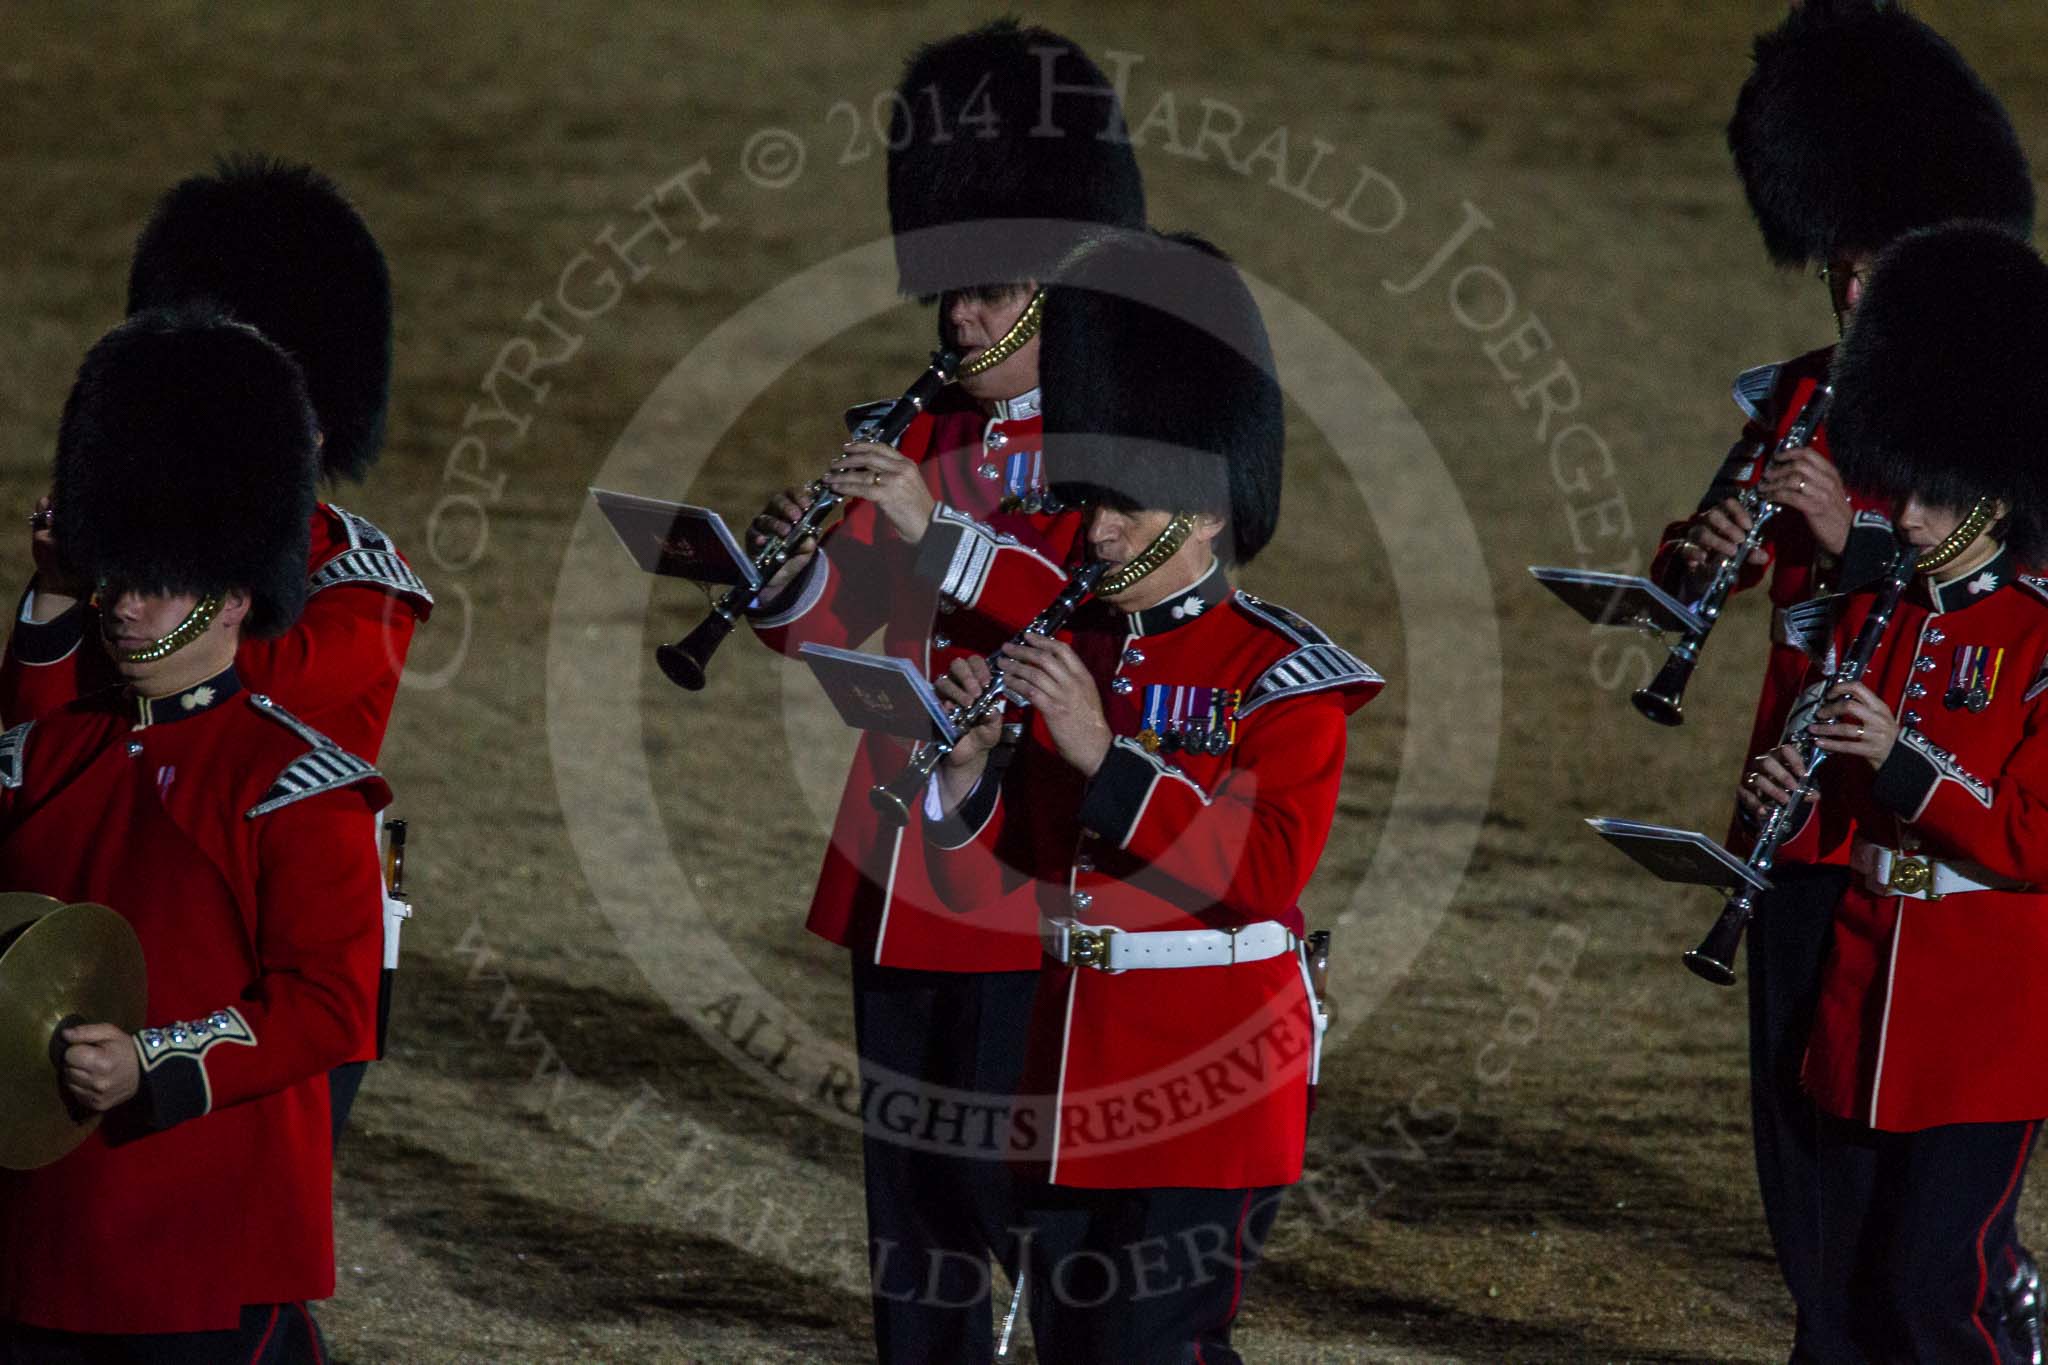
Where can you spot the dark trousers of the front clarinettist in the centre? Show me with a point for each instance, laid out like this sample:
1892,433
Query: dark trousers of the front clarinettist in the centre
1142,1276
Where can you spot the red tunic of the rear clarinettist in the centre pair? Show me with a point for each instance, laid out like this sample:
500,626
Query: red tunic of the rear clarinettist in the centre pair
873,891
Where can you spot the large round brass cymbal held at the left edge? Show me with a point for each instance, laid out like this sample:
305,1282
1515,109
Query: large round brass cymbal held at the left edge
75,963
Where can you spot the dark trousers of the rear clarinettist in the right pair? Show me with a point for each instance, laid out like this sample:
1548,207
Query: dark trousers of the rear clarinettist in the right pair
1789,944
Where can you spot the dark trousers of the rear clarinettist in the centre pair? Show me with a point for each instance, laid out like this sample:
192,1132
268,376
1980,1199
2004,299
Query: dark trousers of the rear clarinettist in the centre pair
941,1055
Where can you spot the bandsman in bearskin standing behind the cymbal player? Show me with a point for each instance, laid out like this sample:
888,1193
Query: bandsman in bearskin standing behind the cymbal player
280,249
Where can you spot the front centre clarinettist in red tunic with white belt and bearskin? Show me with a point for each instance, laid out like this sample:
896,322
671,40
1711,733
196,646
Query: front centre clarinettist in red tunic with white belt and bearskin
1166,811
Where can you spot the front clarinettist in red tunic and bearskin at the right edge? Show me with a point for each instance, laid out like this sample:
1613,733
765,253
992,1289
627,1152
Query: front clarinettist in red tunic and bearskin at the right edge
1928,1041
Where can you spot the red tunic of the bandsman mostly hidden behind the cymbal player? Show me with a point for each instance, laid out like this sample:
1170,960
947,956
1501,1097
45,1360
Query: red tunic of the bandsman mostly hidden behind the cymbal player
337,668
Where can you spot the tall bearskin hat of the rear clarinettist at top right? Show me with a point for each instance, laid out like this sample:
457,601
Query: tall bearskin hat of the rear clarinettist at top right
1861,124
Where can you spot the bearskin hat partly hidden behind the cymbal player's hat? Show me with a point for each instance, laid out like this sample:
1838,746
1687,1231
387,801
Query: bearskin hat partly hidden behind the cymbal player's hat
280,249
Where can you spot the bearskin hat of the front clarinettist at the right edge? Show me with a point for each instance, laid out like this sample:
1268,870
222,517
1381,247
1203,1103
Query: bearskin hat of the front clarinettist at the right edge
1943,380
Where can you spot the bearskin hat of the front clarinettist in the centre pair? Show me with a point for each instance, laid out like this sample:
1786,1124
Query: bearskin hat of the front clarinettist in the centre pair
1160,386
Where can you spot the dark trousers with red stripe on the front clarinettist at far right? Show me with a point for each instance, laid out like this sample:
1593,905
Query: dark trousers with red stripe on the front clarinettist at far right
1914,1241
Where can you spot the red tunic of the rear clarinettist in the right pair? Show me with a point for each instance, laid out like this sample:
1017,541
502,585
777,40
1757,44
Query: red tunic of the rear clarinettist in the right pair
1773,398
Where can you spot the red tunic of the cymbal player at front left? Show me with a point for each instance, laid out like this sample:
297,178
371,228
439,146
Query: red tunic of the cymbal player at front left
241,848
